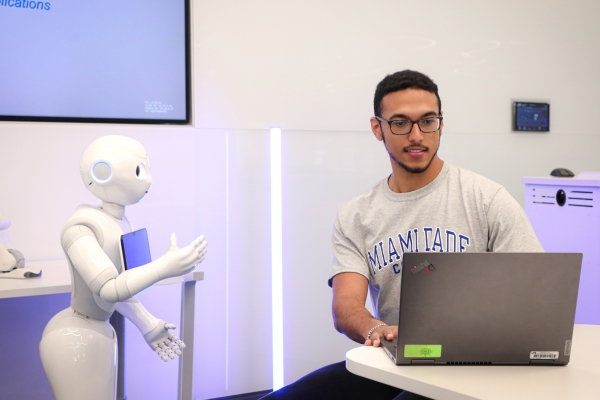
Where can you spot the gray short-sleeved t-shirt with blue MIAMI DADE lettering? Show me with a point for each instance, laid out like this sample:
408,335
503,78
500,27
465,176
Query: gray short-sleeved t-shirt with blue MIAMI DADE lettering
458,211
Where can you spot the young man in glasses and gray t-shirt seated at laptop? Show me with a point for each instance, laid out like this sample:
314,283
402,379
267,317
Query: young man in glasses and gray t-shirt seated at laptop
424,205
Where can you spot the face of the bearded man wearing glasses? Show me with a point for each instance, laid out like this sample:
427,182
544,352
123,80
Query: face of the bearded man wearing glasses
415,151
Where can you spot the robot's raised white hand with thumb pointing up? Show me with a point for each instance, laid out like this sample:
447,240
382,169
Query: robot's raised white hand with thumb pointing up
176,261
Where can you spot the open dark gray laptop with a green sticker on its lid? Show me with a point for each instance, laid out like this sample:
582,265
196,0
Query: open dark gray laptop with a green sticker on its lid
486,309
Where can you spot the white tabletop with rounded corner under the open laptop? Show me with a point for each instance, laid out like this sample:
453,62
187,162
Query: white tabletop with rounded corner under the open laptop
580,379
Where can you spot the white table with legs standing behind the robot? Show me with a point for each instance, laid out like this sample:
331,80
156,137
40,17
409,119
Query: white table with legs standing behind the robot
56,279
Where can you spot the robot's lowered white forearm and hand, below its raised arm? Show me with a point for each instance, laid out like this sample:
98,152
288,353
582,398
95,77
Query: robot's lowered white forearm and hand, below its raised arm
157,333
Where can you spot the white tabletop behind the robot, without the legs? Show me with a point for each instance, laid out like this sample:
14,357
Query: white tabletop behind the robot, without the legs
56,278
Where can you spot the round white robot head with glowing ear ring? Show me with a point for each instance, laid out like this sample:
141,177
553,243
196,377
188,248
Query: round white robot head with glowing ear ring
116,169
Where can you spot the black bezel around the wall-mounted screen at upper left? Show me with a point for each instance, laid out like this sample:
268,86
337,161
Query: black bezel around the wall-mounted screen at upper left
145,121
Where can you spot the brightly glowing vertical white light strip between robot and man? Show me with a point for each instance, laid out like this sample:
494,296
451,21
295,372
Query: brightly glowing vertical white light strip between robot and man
276,259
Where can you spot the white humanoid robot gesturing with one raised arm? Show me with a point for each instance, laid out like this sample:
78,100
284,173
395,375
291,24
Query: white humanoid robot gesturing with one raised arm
79,347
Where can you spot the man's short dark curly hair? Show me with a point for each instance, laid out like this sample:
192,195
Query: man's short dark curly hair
401,80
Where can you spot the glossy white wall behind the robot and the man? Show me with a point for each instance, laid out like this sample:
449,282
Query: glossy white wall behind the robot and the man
309,67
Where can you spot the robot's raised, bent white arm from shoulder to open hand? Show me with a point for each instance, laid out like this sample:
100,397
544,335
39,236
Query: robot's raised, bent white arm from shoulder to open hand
101,276
